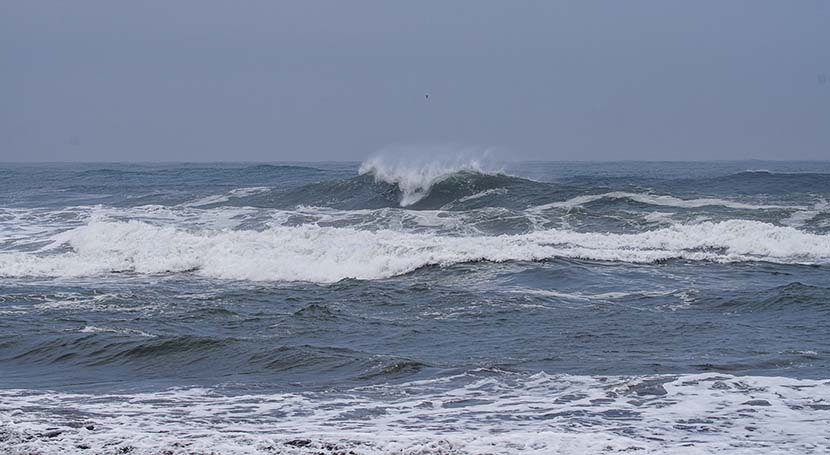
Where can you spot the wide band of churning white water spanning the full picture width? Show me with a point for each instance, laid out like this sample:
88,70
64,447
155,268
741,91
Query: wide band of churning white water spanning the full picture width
329,254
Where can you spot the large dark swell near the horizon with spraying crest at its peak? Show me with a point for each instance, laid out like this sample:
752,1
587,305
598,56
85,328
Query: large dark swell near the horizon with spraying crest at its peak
466,189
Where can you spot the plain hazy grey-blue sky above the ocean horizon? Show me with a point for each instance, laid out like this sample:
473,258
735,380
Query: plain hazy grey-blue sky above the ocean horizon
310,80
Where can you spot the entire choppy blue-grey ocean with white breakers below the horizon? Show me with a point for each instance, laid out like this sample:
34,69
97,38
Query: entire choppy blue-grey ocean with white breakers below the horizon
405,306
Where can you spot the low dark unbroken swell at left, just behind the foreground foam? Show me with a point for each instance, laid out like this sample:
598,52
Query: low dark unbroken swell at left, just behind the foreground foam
127,356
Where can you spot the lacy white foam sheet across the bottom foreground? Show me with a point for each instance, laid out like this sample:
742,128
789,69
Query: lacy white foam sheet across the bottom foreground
538,414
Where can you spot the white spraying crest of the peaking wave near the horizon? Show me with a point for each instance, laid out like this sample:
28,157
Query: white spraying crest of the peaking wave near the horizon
415,173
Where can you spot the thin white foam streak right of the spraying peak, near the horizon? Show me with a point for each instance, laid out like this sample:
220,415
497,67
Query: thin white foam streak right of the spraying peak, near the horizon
660,200
